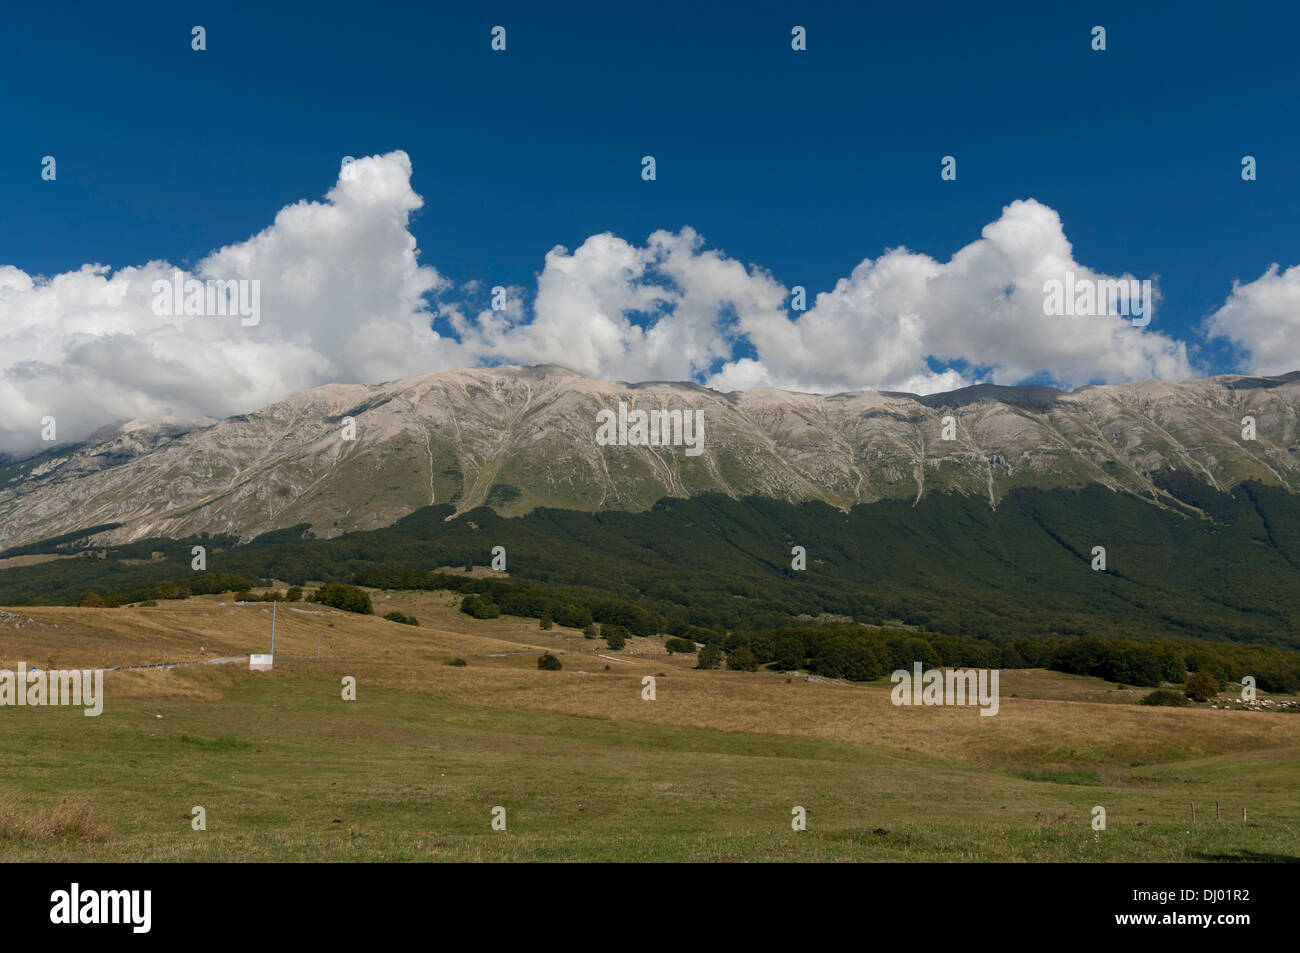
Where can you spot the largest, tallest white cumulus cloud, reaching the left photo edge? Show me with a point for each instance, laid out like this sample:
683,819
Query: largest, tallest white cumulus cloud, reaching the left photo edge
343,298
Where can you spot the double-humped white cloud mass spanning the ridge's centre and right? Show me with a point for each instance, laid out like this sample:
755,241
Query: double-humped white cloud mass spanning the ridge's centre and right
883,327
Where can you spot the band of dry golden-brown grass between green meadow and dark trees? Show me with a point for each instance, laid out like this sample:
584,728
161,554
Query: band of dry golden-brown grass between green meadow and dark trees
1046,720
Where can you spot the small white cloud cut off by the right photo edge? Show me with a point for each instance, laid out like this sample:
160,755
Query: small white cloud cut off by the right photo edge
1263,320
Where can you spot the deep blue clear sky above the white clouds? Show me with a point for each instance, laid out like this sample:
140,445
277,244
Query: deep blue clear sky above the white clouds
804,163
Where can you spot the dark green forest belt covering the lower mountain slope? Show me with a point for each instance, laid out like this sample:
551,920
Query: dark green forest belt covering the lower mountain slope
1223,569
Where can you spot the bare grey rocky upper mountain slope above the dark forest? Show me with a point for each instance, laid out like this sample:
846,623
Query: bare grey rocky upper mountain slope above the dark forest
517,439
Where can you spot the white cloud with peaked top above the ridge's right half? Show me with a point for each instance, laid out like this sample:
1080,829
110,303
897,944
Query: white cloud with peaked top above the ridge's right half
985,307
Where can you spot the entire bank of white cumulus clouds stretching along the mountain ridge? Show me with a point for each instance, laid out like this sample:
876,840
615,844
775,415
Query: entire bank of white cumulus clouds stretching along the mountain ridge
345,298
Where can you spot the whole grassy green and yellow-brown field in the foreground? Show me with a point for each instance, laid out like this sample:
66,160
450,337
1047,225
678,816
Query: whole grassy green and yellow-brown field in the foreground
584,768
